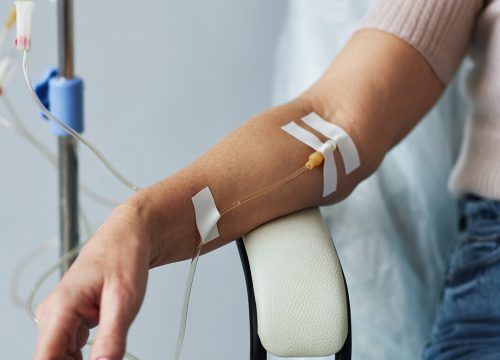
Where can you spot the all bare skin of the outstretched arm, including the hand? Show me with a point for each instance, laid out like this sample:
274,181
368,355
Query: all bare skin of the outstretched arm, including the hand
377,89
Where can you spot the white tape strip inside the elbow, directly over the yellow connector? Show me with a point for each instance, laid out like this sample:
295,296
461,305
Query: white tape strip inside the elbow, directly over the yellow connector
311,140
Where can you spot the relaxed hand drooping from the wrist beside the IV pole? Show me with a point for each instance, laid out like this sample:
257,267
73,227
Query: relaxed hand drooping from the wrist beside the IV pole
105,286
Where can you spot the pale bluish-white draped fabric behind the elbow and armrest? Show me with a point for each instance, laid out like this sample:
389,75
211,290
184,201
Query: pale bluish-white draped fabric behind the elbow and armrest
394,261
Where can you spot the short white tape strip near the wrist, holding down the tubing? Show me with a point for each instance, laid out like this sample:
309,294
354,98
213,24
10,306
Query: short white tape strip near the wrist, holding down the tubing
207,215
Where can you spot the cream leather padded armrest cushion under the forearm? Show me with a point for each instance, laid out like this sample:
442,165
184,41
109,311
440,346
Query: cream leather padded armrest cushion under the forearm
299,286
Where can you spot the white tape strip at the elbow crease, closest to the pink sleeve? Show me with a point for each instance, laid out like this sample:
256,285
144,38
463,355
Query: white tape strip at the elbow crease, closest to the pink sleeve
346,146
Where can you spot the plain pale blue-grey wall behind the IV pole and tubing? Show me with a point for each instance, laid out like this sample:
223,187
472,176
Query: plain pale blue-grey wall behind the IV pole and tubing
164,82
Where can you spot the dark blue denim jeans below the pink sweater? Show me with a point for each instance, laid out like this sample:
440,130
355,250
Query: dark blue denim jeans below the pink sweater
467,325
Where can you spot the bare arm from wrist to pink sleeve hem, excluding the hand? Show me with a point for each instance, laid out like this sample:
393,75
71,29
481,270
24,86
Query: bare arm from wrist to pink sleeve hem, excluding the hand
376,90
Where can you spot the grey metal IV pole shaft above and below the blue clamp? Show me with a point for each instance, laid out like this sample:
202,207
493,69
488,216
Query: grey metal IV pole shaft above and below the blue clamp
68,161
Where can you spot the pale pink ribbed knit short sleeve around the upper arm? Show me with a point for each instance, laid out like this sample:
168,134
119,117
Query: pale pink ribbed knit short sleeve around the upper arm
440,30
